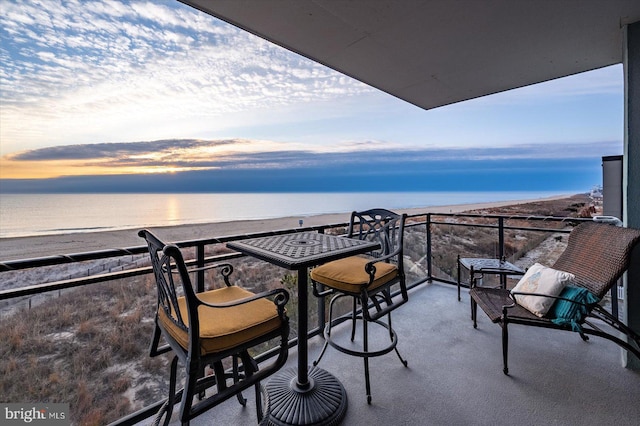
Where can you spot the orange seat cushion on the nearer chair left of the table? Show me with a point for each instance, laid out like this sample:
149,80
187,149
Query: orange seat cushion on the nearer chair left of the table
225,328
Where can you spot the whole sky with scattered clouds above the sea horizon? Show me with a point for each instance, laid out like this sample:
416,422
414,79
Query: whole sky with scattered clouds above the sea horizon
110,92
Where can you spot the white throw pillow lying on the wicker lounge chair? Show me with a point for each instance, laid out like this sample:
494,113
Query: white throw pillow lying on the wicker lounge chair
542,280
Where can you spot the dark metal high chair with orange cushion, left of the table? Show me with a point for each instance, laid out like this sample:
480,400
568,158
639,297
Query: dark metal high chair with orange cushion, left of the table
215,328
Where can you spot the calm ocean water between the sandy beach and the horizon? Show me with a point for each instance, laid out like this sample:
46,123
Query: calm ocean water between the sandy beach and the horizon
47,214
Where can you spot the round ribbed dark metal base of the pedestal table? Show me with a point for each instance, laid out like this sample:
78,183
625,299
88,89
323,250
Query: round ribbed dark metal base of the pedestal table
324,402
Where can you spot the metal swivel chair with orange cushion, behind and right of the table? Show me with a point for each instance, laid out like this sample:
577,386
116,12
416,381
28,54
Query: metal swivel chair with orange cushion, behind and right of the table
370,282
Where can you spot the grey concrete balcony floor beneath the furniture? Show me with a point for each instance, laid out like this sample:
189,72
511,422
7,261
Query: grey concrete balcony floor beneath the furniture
455,374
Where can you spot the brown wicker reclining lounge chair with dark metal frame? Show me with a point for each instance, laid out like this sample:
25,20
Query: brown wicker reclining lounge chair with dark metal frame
597,255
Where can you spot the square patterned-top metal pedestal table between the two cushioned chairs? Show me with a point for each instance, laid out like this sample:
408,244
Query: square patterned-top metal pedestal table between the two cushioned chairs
303,396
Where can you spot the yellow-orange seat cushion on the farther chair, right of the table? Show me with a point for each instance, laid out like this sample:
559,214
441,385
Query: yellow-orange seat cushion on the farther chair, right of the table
349,275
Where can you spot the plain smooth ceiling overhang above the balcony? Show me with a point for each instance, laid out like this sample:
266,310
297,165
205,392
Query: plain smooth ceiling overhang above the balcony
437,52
